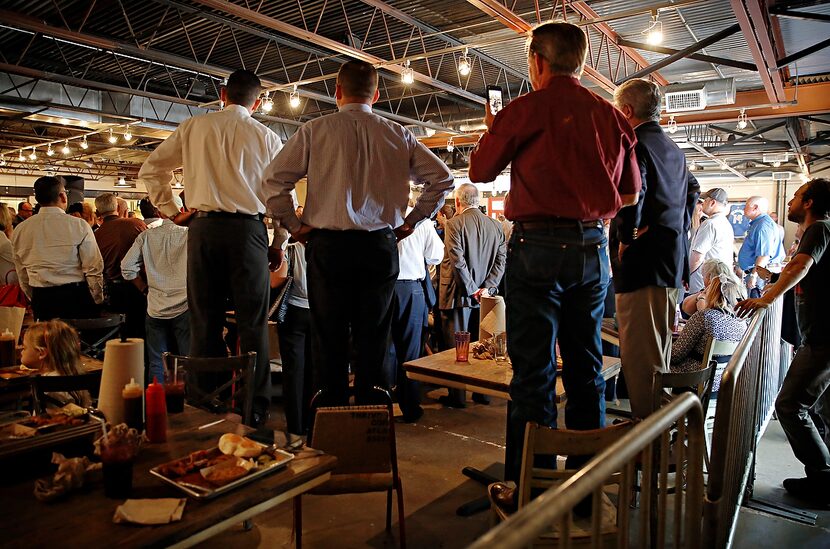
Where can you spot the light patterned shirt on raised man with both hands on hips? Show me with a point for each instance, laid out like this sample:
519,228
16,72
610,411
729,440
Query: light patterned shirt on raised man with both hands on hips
358,166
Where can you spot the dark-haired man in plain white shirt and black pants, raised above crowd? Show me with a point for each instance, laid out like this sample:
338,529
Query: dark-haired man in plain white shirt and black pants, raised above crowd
223,156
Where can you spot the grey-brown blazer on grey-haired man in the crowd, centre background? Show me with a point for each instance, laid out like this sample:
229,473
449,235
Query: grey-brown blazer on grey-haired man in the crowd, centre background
474,257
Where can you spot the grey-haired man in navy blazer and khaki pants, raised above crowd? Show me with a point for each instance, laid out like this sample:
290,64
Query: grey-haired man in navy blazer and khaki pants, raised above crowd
653,250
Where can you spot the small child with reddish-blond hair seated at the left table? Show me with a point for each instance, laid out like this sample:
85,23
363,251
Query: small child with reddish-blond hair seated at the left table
53,348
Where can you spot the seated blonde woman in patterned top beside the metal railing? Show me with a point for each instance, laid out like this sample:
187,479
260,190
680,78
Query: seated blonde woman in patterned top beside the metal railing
715,318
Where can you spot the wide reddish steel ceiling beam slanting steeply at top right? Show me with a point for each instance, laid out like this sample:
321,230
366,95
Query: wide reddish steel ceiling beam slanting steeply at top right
754,24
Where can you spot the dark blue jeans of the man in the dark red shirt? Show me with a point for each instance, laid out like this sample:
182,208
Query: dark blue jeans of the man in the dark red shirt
556,280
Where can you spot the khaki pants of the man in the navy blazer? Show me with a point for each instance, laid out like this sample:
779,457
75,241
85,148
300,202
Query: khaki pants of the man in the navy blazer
645,319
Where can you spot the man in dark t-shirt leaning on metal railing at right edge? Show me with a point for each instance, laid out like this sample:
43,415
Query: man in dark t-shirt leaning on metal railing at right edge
809,374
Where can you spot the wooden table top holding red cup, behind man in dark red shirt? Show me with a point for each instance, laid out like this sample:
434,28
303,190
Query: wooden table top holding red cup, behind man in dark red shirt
483,376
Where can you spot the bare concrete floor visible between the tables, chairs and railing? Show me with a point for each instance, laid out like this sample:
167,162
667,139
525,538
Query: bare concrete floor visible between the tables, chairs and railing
431,454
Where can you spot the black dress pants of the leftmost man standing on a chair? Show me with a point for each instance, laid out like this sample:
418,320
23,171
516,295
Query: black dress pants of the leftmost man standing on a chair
228,257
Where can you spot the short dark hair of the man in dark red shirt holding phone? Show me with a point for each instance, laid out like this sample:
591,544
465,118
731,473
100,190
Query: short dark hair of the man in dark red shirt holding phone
563,45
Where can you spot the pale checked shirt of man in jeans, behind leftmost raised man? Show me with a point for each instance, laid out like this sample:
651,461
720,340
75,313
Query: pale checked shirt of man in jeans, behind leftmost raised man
163,252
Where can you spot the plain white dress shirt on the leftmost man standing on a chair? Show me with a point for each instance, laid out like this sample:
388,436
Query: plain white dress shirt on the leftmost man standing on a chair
223,155
